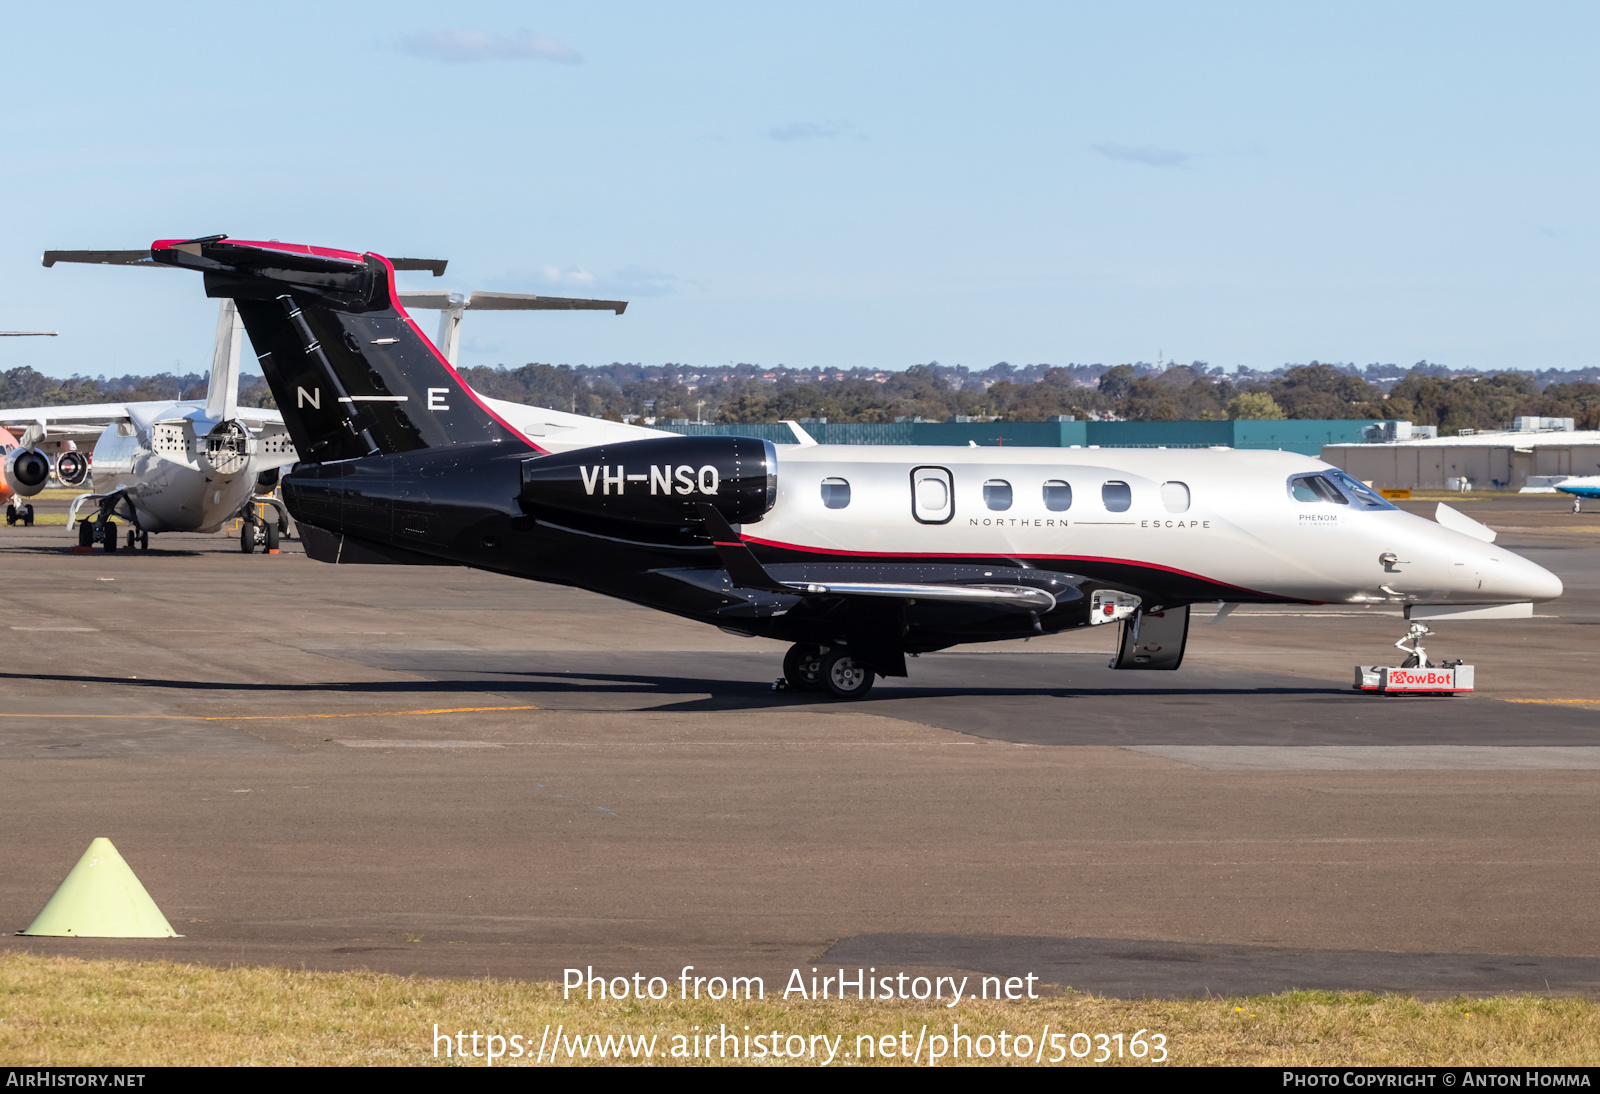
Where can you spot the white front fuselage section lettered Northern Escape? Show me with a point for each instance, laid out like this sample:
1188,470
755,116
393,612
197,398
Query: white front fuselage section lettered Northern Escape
1223,516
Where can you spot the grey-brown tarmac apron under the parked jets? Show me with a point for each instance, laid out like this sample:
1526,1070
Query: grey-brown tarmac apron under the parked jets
444,772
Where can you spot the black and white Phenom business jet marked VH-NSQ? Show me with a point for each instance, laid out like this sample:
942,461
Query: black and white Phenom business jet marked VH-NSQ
855,554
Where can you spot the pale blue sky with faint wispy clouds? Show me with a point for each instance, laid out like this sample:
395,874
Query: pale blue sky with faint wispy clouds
833,185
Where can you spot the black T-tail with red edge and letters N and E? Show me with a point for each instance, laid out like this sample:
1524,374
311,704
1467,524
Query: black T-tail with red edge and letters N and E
350,370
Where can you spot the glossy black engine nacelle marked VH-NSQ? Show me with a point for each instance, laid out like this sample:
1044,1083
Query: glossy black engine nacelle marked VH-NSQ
657,481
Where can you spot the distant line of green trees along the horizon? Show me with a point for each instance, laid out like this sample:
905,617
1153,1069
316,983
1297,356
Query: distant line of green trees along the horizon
1428,396
